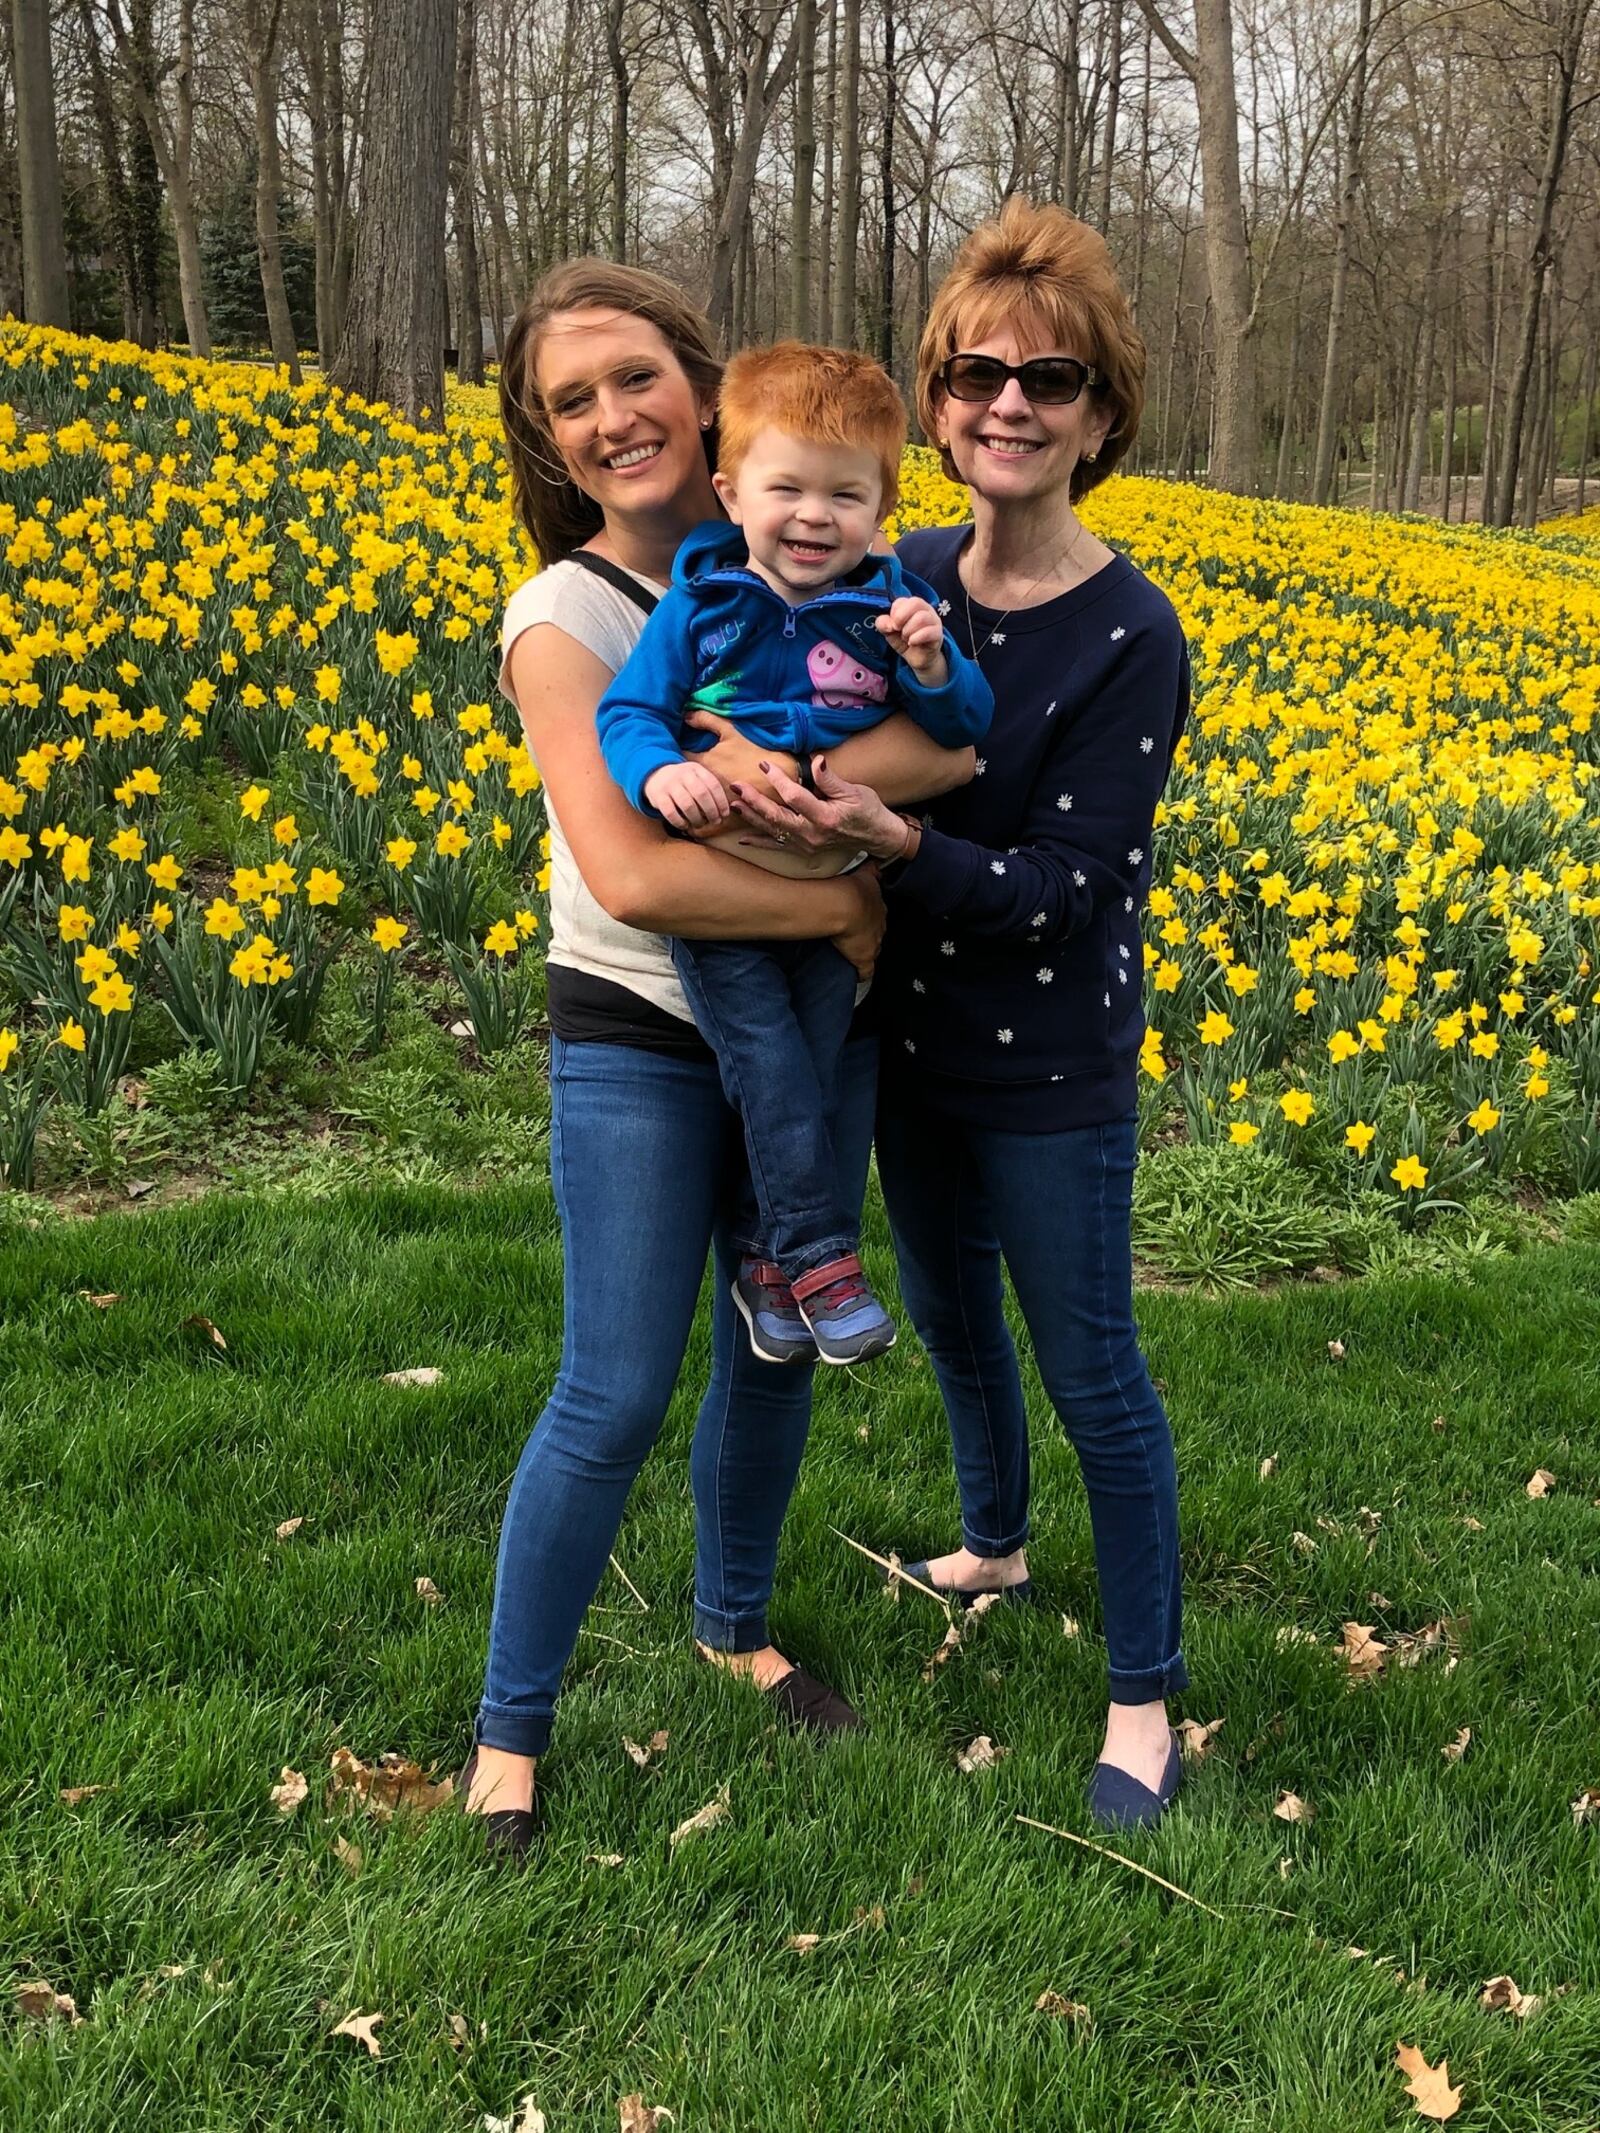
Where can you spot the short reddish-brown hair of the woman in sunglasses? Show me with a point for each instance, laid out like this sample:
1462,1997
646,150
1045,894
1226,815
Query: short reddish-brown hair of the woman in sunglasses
1040,268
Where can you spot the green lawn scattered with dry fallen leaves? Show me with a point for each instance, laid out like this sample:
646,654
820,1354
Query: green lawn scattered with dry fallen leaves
161,1643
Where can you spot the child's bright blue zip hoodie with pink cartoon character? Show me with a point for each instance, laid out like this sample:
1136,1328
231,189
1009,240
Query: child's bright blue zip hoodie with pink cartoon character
795,679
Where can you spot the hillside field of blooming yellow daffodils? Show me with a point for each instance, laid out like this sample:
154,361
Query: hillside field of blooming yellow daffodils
251,733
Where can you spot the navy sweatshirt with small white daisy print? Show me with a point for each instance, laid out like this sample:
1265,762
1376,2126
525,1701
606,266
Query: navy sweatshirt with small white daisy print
1010,982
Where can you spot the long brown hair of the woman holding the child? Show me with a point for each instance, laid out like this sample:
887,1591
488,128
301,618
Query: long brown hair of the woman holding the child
558,515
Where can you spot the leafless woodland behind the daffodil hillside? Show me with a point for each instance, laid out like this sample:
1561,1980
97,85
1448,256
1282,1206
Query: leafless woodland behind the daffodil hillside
1362,240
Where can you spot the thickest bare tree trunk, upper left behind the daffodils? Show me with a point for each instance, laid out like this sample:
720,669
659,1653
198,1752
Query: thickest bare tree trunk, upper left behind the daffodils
394,338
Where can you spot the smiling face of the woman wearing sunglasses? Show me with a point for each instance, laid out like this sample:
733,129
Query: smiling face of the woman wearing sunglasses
1008,449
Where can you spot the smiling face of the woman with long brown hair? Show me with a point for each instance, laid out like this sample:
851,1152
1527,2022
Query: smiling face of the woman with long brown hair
624,415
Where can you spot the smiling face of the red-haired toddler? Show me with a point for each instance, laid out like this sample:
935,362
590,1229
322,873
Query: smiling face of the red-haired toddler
807,511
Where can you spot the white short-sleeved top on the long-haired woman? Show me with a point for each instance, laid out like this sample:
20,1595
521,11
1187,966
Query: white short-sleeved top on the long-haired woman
583,935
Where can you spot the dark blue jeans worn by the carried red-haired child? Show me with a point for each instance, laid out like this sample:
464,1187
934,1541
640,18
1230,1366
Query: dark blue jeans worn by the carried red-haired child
778,1016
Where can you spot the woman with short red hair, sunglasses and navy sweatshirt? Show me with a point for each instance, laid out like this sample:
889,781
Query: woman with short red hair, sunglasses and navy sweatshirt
1010,984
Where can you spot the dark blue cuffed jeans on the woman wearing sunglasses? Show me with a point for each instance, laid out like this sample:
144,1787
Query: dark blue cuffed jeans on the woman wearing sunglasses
1059,1210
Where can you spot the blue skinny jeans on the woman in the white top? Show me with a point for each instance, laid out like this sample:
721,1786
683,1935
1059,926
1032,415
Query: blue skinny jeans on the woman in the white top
643,1157
